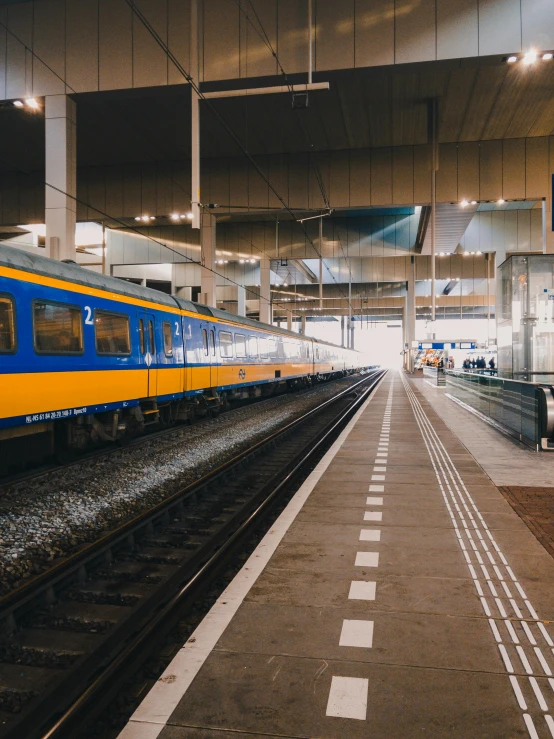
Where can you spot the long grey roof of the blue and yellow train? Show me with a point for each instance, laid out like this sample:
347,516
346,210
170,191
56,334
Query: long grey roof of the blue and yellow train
18,259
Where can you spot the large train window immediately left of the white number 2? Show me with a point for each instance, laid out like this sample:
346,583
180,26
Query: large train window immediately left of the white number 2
57,328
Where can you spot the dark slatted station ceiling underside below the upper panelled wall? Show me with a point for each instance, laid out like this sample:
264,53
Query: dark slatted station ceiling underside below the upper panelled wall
479,99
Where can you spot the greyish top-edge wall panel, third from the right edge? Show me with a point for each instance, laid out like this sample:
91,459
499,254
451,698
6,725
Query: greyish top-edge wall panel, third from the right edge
457,29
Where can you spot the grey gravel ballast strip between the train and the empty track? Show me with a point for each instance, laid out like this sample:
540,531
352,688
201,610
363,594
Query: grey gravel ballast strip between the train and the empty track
49,517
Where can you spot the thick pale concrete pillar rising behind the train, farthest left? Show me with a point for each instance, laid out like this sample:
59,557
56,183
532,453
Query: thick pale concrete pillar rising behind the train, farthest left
60,173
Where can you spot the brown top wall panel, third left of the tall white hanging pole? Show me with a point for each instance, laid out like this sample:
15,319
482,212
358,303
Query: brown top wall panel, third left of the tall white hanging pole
116,45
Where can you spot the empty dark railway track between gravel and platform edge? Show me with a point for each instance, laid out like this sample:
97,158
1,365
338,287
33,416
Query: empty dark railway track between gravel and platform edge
70,635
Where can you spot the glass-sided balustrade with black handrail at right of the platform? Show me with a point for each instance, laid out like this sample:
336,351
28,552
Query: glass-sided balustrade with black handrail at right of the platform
524,410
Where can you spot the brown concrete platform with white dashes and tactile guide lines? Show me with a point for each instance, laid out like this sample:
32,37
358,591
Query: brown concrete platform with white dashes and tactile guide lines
398,595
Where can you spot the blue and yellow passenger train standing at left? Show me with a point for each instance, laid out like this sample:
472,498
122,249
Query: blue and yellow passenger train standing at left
87,358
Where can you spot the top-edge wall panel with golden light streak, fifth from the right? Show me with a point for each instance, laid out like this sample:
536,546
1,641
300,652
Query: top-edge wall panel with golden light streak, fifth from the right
374,33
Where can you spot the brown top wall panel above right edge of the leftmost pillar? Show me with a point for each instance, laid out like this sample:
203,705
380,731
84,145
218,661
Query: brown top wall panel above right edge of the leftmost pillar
82,45
